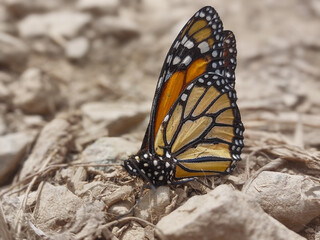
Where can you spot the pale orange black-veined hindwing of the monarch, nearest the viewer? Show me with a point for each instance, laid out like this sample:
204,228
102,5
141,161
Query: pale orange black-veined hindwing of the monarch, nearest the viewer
203,129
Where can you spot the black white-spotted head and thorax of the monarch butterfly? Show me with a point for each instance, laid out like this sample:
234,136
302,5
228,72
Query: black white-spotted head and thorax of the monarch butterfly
154,169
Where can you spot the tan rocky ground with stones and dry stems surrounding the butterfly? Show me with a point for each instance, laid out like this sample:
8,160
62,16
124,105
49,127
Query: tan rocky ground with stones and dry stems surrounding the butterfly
76,83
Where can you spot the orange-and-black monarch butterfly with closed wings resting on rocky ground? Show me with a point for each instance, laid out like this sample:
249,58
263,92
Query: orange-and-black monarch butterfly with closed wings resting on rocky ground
195,126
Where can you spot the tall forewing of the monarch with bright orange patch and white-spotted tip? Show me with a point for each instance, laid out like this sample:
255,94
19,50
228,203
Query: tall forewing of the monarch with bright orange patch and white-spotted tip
198,48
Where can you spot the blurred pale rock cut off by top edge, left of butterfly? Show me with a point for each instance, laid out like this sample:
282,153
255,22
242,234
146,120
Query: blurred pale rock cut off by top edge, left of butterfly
99,6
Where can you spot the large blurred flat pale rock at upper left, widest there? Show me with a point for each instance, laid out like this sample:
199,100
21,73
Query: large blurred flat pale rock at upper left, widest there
62,23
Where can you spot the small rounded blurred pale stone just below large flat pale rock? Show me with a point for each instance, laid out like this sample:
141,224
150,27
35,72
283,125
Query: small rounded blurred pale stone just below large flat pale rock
77,48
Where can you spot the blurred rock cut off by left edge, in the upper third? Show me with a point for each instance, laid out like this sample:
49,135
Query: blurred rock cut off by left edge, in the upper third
13,52
